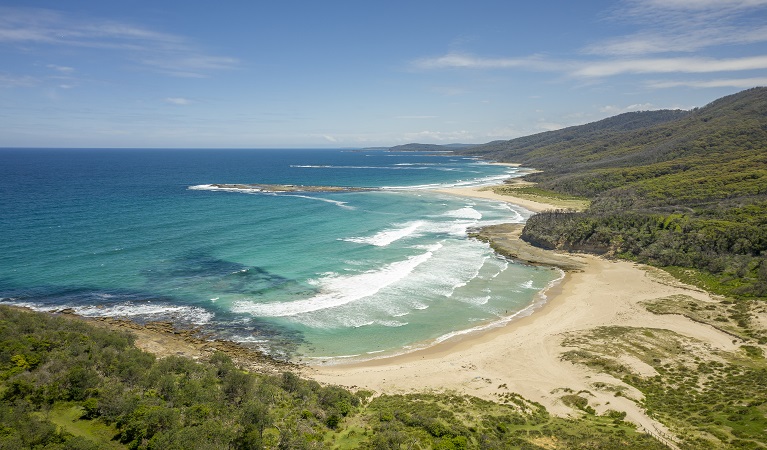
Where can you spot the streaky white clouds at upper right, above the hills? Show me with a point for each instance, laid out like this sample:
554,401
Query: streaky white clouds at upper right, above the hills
674,28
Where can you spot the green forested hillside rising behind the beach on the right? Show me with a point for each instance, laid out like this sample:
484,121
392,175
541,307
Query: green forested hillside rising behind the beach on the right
683,190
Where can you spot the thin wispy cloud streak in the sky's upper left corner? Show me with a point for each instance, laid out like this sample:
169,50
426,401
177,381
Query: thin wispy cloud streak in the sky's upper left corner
162,52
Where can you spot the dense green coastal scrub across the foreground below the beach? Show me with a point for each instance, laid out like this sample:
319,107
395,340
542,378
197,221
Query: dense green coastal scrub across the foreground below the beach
65,384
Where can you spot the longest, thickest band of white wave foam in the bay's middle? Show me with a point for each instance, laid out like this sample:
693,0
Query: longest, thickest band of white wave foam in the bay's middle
340,290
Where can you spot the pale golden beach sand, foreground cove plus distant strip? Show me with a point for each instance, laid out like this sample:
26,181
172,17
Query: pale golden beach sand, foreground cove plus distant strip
524,355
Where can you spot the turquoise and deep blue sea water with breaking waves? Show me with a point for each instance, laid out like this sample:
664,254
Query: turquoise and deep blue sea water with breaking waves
136,234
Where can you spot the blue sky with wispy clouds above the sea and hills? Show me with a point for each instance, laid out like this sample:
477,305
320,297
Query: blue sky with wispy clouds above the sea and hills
355,74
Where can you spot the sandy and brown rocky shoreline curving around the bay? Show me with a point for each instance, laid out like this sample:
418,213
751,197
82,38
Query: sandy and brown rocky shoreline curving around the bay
520,354
